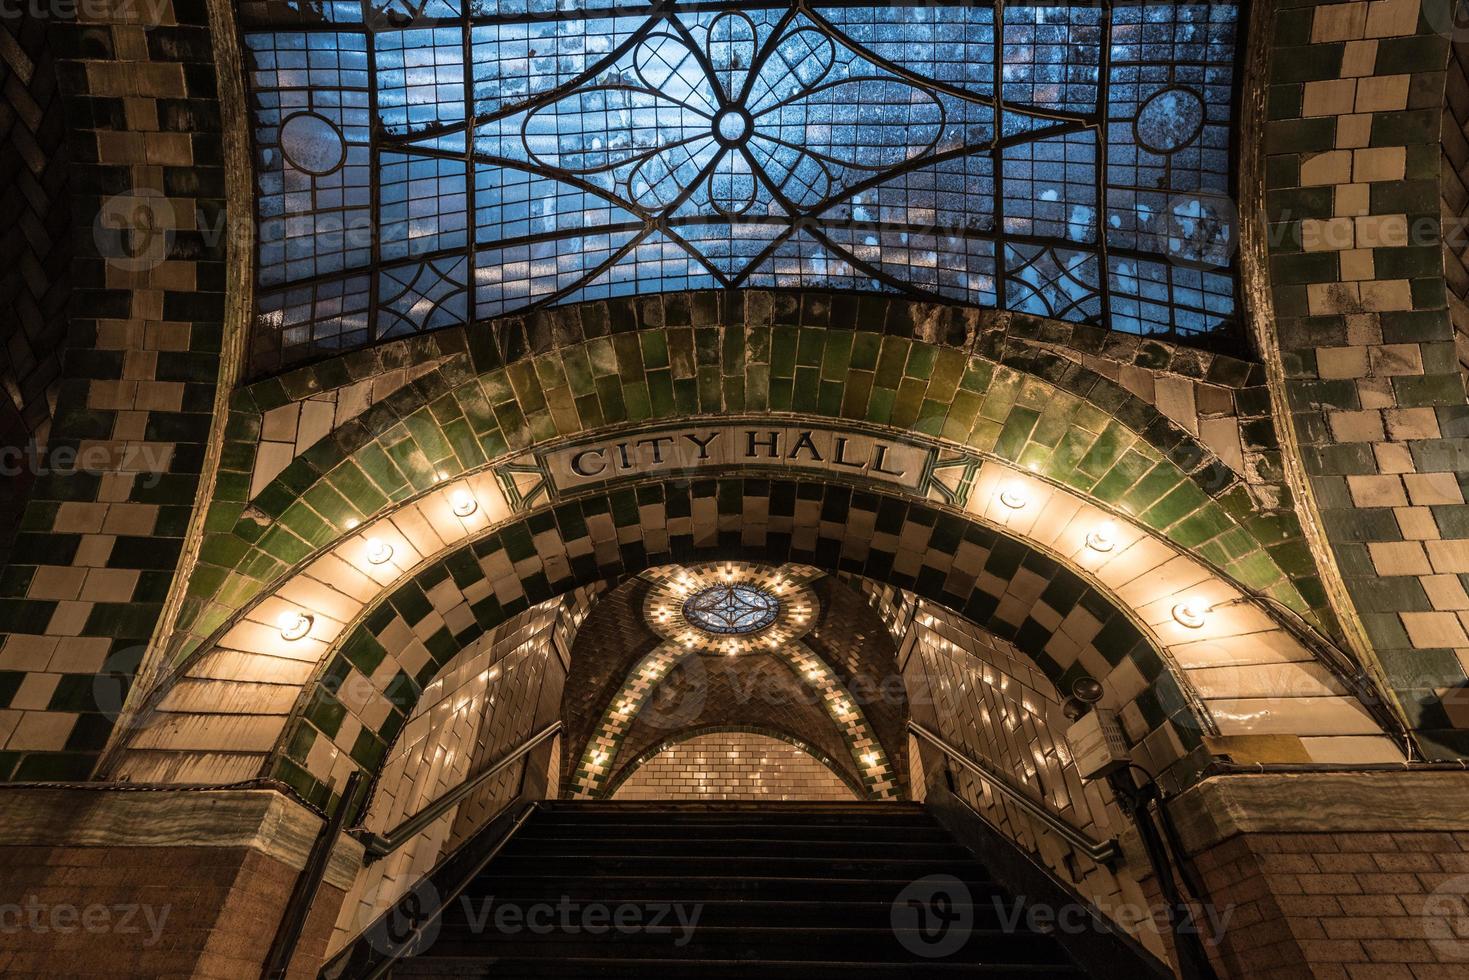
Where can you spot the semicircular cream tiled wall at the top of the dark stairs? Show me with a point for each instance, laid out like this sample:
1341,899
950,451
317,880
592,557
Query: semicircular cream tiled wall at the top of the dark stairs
734,766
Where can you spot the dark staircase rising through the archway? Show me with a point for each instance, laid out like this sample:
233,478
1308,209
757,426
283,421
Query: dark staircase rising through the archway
734,891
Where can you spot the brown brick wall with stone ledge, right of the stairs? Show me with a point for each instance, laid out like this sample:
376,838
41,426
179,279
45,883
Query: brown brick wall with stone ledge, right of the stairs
1335,875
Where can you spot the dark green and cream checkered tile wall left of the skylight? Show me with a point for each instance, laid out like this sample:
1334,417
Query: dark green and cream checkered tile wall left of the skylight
90,569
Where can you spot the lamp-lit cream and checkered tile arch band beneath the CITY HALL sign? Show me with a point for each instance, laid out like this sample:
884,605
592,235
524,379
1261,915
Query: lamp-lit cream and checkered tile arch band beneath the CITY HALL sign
1026,577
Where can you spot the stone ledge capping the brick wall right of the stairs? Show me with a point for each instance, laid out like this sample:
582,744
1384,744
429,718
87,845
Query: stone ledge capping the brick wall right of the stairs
1223,807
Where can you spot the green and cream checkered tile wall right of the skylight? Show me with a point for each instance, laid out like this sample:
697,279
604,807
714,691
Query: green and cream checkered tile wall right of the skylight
1364,347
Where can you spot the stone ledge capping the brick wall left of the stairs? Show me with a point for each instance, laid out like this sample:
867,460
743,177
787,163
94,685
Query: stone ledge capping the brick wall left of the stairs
259,819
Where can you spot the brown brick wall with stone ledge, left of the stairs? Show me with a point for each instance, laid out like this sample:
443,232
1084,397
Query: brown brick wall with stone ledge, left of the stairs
118,885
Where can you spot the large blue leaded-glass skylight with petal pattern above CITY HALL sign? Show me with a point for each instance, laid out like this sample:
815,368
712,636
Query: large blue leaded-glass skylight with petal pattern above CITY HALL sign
450,161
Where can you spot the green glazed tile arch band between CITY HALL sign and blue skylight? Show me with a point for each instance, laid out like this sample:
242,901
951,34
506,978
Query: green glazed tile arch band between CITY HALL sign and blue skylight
967,378
